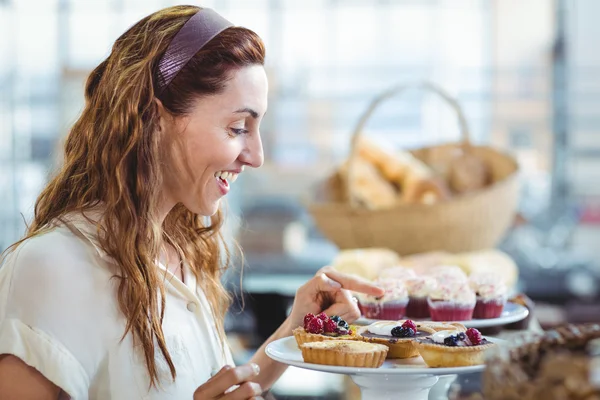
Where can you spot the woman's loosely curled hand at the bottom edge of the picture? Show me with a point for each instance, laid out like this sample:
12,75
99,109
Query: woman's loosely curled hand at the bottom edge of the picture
231,383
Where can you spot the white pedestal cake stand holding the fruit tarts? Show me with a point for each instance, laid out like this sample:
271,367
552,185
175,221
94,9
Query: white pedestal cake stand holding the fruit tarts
408,378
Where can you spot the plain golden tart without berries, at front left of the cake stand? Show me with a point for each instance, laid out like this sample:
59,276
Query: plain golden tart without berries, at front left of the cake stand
344,353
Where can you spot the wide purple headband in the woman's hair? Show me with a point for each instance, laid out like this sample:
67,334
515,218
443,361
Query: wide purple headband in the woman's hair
195,33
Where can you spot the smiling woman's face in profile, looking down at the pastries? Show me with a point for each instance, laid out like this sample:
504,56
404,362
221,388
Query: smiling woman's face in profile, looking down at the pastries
207,149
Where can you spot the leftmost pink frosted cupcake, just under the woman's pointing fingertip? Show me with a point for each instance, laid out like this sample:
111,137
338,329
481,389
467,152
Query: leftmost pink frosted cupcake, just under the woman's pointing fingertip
390,306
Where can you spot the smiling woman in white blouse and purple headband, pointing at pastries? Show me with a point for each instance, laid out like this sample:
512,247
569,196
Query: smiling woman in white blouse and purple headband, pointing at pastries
115,291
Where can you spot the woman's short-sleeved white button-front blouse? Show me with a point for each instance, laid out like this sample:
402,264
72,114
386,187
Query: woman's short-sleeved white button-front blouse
59,314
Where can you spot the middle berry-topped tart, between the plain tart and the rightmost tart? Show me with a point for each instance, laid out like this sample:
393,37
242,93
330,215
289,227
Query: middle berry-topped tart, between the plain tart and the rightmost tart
399,336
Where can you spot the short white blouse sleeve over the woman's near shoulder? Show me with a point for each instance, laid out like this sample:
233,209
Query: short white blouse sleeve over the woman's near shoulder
58,302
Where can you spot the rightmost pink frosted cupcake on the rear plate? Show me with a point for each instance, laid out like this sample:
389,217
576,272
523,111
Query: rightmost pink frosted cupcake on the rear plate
491,295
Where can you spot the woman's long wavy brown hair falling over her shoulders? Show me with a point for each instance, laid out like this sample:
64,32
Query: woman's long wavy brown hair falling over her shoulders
112,160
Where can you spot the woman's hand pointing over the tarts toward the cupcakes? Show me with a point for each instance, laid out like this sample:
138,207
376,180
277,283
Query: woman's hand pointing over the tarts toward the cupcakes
329,292
